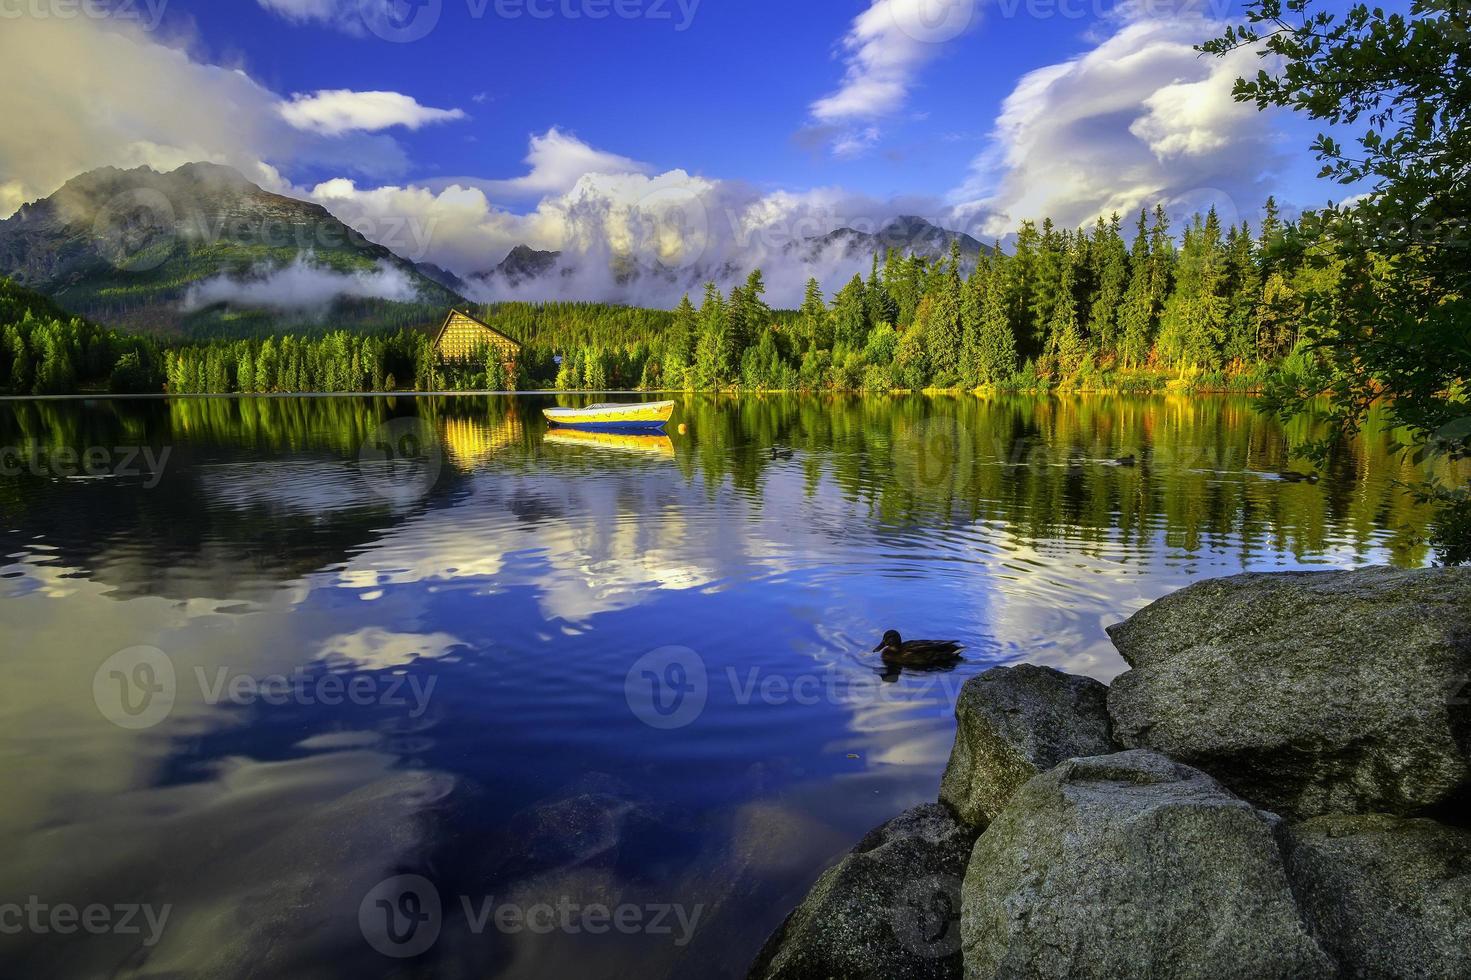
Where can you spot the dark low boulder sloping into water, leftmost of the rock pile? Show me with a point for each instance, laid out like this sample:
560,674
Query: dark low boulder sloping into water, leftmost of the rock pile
888,912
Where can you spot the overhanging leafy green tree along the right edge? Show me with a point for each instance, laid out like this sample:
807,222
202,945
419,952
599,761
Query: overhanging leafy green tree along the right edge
1392,319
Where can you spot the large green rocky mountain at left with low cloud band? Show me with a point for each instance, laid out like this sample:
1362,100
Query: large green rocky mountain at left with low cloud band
204,252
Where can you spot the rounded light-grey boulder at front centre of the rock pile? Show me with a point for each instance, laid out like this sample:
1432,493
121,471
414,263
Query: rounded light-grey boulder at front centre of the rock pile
1132,866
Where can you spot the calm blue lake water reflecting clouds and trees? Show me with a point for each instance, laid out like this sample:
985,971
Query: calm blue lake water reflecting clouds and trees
267,657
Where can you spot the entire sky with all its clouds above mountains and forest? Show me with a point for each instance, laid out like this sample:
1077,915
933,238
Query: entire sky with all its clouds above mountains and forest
760,121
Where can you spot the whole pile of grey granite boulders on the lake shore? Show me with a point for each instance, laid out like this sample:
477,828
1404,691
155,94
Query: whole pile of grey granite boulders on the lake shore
1266,792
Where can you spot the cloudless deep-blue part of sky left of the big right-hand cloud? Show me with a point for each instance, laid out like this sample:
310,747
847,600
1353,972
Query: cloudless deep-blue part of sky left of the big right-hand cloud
726,90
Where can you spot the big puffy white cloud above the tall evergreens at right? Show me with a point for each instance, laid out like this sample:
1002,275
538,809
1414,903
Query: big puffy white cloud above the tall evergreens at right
1139,120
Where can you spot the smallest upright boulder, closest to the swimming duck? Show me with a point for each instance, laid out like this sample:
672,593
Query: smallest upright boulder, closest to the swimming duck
1013,723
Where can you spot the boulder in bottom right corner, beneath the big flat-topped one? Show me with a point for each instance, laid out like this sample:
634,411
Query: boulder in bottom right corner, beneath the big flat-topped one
1386,897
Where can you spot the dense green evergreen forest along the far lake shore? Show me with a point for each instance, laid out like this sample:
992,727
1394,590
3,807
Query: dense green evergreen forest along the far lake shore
1069,310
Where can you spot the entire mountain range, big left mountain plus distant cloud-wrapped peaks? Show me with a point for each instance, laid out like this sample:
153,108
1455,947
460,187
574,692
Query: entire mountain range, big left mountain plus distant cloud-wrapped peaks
205,252
